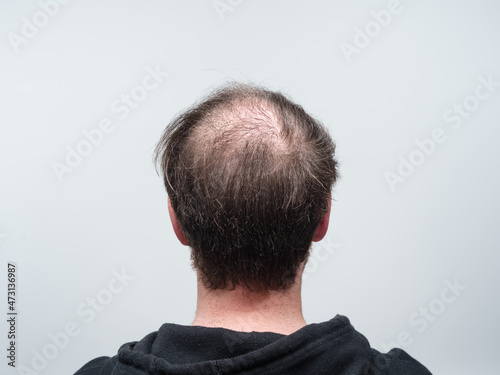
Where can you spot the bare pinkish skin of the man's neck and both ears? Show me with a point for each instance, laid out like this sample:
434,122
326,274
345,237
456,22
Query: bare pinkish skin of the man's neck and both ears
244,311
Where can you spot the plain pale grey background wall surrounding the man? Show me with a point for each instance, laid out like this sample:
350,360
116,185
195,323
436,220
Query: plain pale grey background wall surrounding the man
388,253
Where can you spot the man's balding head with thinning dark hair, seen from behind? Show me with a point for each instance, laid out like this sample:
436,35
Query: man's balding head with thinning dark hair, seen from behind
249,175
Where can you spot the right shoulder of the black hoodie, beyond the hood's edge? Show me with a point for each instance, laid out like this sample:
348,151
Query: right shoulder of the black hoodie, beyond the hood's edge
395,362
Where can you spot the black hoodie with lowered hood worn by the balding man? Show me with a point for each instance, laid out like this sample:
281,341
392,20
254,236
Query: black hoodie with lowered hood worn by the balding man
332,347
